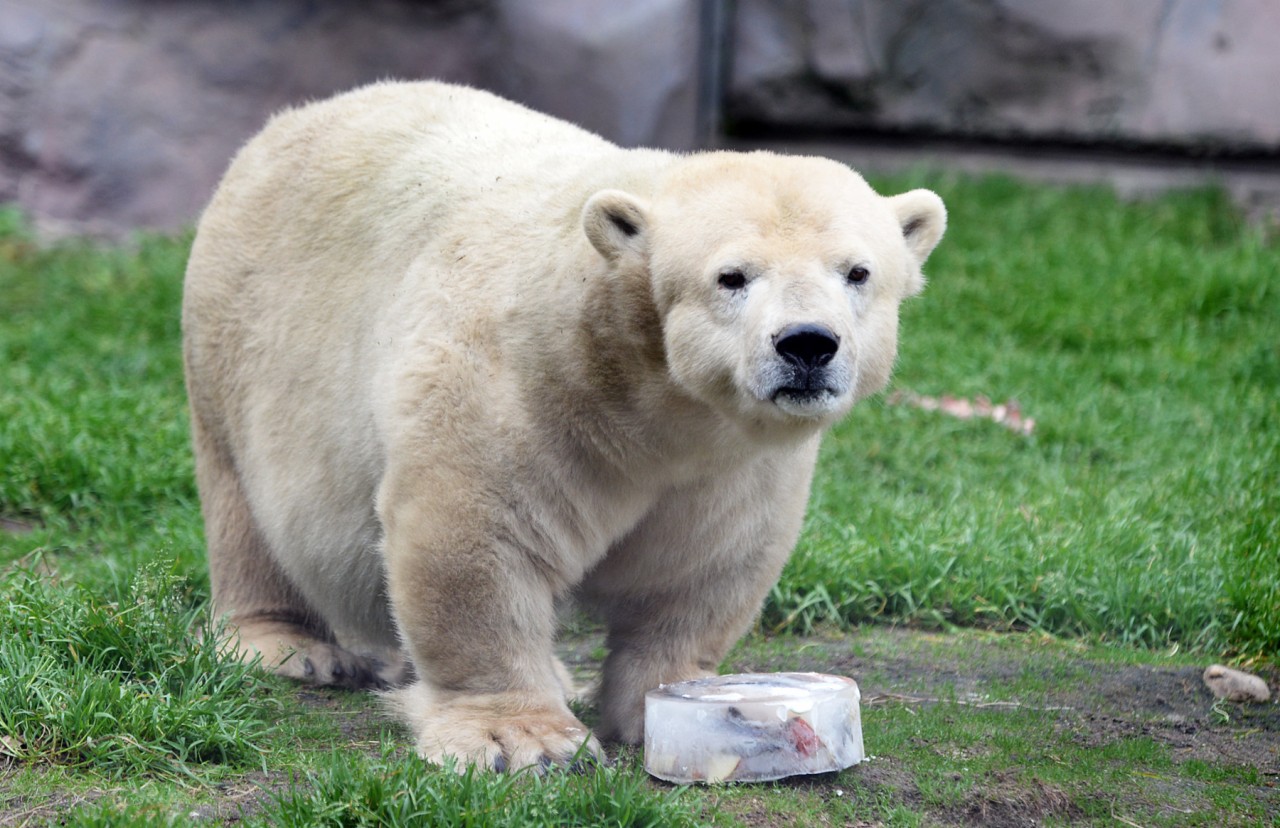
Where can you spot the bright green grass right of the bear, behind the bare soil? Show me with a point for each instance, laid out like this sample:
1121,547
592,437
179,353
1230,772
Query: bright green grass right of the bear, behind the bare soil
1145,340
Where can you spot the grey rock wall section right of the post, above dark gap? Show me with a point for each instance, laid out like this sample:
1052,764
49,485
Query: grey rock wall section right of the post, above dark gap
1185,75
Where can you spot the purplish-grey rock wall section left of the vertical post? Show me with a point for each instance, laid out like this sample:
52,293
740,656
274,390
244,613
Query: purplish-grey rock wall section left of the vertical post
117,115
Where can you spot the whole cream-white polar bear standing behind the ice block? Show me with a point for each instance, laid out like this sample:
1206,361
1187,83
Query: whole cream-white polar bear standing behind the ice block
454,364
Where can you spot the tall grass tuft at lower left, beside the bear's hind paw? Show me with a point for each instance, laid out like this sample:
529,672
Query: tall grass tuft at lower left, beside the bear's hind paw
120,685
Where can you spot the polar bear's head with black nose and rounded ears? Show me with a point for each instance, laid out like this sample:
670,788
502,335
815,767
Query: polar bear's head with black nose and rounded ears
778,280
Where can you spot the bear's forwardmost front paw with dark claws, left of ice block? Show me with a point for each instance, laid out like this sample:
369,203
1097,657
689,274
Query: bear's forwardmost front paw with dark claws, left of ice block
501,733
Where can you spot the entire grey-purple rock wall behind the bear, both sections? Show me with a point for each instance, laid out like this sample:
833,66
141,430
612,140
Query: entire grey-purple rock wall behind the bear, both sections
117,115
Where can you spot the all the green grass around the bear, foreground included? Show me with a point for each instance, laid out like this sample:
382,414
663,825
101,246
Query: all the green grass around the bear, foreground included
1145,510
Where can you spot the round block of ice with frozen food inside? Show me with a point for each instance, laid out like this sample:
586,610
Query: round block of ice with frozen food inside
752,728
